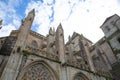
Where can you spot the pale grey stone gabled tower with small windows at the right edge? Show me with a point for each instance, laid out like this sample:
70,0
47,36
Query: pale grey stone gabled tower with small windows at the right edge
111,29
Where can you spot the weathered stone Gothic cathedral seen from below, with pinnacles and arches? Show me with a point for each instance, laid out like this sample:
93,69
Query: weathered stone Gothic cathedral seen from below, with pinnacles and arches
28,55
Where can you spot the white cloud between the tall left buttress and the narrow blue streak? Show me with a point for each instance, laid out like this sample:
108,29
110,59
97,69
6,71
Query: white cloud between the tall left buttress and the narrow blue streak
41,16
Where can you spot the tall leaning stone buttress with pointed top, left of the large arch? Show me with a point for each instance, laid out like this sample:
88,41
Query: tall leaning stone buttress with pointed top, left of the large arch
12,68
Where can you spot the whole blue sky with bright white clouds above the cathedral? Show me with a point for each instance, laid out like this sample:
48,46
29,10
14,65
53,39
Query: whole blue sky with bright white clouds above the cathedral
81,16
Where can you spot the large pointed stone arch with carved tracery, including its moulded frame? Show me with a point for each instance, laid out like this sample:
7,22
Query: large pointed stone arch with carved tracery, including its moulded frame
37,70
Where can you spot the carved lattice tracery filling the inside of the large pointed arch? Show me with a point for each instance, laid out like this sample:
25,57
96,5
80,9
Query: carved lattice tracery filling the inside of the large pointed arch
37,72
